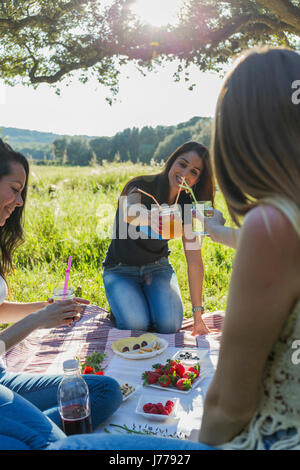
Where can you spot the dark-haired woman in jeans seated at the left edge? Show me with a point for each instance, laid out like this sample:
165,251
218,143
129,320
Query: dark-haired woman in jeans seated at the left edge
29,417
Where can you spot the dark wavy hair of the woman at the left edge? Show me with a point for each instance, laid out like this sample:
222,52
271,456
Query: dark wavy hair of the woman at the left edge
11,234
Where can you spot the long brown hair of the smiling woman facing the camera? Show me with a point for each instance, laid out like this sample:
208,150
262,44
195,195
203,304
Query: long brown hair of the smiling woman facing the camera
204,189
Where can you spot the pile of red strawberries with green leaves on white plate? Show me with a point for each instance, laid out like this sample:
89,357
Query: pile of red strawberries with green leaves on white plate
172,375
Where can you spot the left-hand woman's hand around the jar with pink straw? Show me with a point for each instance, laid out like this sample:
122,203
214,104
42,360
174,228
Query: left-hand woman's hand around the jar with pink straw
60,313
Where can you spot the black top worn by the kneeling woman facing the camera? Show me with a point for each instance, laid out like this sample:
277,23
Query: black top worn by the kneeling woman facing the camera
143,249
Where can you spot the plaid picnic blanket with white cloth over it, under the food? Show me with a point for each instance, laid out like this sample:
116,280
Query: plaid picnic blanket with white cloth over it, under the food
44,351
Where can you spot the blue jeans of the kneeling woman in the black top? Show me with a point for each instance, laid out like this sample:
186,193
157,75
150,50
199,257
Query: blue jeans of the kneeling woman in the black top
144,297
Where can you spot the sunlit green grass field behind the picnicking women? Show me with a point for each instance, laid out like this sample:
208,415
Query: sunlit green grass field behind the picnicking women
69,211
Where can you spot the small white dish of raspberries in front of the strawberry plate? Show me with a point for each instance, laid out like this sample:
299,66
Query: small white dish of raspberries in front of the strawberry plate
158,409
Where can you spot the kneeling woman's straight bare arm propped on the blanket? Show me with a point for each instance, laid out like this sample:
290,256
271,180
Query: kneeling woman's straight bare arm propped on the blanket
195,276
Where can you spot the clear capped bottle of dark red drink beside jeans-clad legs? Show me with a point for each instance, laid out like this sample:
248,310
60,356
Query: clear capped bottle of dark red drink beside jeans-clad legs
74,400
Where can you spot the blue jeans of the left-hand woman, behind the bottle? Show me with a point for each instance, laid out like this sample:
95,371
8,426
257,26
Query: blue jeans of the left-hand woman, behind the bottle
29,412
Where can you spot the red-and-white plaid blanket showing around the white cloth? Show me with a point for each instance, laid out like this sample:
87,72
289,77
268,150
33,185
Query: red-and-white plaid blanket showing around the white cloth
44,351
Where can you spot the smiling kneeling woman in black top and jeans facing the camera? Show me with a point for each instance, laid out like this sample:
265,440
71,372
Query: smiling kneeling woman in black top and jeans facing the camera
140,283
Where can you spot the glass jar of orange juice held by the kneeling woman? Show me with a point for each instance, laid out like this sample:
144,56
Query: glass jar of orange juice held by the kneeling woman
170,222
